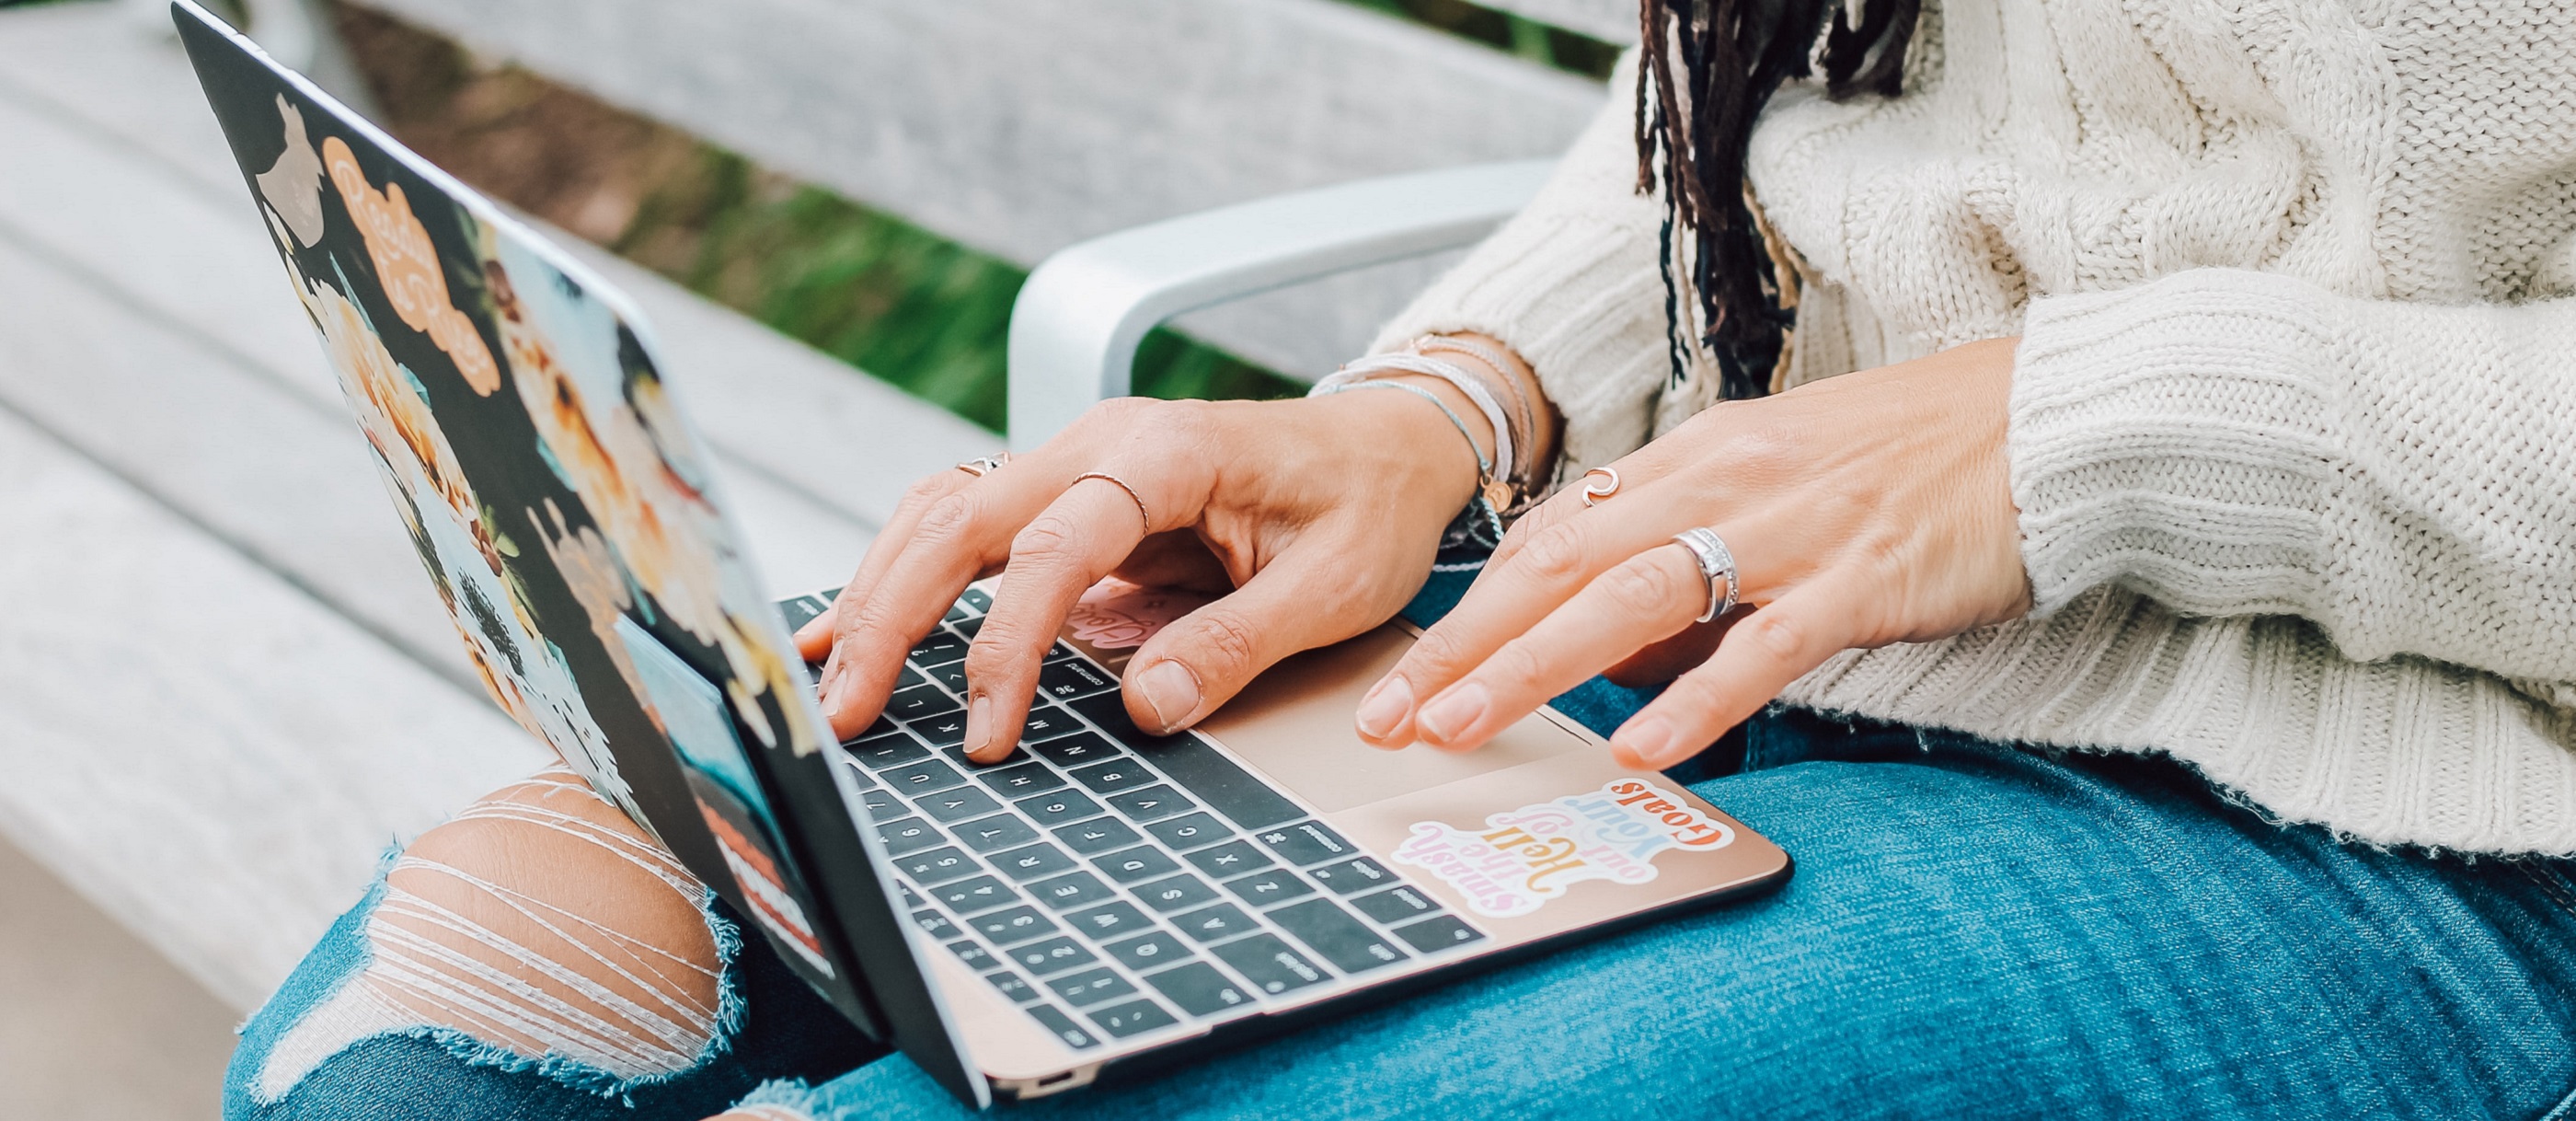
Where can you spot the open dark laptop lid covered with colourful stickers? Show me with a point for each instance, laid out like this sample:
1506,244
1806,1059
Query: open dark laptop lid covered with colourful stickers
576,530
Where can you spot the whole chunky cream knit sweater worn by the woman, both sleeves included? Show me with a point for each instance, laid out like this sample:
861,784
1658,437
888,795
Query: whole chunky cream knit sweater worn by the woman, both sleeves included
2294,419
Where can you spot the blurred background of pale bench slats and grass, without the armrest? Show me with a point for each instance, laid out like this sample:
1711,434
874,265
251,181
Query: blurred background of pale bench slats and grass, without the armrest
223,684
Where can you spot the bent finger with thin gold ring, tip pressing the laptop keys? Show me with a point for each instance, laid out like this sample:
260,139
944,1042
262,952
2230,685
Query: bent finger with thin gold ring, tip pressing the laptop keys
1065,550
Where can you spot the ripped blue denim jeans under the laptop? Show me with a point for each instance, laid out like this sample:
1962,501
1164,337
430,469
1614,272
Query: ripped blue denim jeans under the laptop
1975,932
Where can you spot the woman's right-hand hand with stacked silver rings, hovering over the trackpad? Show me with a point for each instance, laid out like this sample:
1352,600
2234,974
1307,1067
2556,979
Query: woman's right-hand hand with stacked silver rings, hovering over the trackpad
1861,512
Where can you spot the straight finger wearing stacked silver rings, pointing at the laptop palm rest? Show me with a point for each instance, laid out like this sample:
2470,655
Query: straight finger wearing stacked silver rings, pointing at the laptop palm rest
1645,599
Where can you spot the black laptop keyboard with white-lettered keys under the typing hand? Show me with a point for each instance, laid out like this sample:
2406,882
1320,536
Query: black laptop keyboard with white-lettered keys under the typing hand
1106,880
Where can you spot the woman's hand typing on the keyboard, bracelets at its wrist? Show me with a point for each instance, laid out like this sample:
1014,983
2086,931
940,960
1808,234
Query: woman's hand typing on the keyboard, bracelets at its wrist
1318,519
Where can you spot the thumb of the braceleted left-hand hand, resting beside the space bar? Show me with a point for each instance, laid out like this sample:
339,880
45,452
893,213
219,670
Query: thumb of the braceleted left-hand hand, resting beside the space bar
1300,602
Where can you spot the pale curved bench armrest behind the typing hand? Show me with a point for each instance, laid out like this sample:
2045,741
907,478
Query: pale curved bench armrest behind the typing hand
1083,313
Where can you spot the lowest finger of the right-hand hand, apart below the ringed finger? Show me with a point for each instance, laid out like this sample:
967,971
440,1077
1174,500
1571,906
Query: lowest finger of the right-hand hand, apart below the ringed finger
1763,653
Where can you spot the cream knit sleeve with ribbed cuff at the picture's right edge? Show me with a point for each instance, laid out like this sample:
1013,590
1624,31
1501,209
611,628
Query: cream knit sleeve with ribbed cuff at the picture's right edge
2230,442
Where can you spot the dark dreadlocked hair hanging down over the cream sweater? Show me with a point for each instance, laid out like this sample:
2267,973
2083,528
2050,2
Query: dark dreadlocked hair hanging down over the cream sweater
1709,68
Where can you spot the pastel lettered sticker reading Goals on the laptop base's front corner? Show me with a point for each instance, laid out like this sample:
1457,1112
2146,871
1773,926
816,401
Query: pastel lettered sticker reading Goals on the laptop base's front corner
1534,854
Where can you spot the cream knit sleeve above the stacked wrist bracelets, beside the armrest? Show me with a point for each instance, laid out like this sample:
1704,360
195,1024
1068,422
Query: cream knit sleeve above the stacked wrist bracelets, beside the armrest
1573,287
